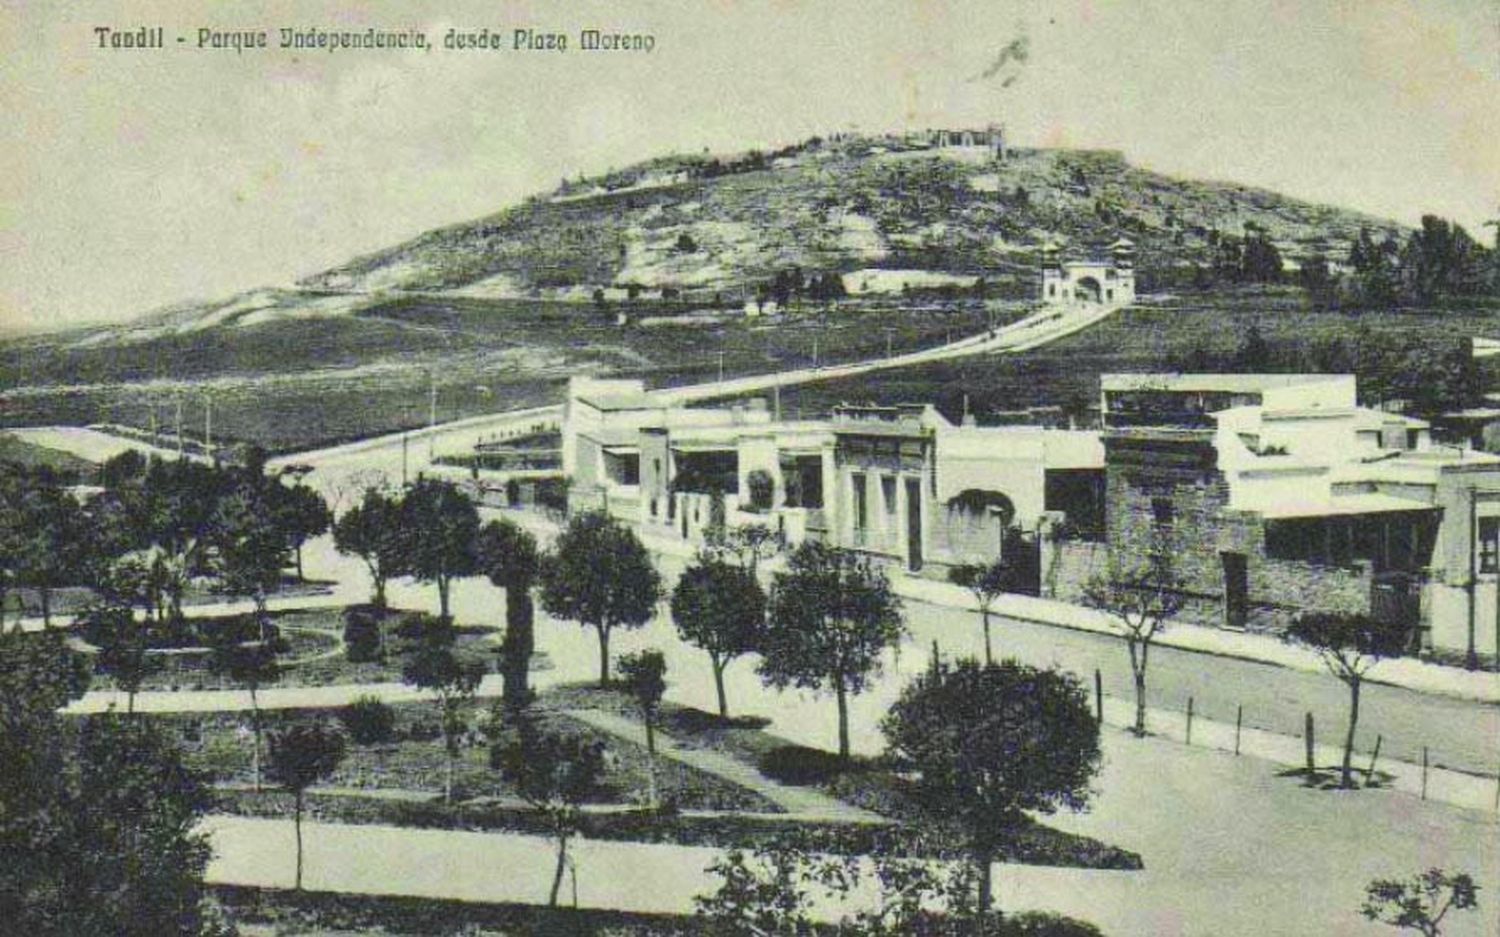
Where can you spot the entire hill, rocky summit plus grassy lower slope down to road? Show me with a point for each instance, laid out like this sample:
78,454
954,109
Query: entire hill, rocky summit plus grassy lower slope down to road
497,313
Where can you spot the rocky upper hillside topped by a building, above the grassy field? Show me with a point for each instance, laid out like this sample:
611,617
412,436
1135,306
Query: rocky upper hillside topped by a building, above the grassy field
713,226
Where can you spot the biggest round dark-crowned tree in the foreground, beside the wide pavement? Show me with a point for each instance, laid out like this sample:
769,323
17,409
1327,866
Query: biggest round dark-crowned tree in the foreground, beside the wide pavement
991,744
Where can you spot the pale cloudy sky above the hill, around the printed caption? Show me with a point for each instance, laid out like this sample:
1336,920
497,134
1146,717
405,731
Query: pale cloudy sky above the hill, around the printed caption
133,181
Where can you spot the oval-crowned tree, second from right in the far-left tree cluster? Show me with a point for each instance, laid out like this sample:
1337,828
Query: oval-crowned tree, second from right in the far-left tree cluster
250,546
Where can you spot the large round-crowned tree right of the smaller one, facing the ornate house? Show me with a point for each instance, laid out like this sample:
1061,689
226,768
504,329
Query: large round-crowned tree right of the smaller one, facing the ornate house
832,617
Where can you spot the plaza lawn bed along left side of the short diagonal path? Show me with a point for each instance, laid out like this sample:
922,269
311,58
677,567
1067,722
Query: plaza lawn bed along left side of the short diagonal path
416,759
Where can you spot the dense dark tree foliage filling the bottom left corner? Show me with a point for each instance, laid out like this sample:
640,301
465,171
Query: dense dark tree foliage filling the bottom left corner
100,815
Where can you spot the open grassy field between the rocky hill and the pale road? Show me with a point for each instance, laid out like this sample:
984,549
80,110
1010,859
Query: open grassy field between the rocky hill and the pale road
301,385
